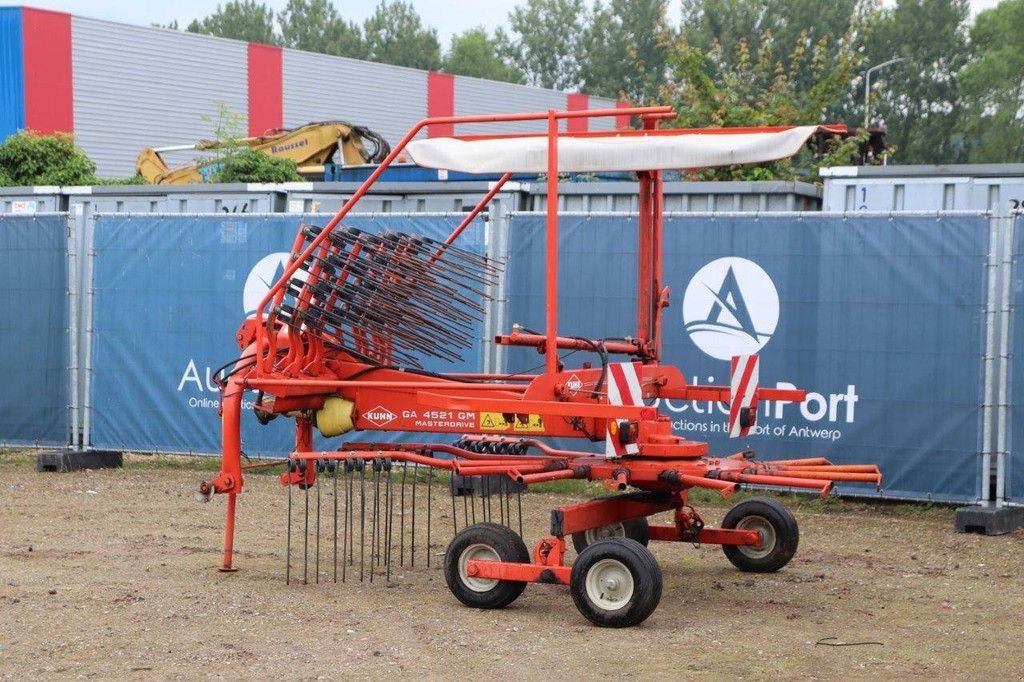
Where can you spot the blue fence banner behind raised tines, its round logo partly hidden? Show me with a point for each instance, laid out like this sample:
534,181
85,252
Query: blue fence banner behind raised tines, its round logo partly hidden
170,294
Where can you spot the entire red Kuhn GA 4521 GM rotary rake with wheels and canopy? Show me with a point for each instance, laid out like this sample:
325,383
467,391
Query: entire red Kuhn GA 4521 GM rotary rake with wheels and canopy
338,343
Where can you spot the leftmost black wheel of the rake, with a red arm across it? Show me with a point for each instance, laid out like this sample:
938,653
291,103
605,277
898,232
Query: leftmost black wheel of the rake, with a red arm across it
485,541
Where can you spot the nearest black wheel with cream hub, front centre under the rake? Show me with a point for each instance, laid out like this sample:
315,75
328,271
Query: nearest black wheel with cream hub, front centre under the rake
616,583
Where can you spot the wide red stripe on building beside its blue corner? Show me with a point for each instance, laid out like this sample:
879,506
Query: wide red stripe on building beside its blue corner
50,101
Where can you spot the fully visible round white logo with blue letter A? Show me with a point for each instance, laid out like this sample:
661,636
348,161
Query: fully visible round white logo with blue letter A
731,309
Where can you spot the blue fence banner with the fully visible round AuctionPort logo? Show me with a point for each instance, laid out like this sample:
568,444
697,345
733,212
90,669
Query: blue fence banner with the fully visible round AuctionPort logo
879,319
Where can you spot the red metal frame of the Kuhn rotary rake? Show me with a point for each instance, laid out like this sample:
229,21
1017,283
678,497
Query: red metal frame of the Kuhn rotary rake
301,371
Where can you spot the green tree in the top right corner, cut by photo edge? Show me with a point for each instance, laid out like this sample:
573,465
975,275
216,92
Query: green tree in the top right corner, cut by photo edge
993,89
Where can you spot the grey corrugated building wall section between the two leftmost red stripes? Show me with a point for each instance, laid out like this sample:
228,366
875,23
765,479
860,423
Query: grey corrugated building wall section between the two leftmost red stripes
139,88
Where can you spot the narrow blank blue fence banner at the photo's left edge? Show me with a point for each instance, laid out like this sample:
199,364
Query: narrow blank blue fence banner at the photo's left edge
35,400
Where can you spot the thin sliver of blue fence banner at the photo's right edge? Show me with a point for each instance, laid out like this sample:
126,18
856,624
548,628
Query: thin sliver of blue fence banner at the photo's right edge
1015,464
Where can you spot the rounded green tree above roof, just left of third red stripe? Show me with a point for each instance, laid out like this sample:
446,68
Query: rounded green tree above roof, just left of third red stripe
395,34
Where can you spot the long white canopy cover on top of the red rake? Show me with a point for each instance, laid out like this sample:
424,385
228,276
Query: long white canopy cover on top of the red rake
585,155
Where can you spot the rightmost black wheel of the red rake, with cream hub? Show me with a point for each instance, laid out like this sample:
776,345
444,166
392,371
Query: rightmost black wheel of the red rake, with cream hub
780,536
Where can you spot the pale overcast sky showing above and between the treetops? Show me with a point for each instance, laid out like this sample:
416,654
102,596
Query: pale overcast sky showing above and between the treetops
449,17
